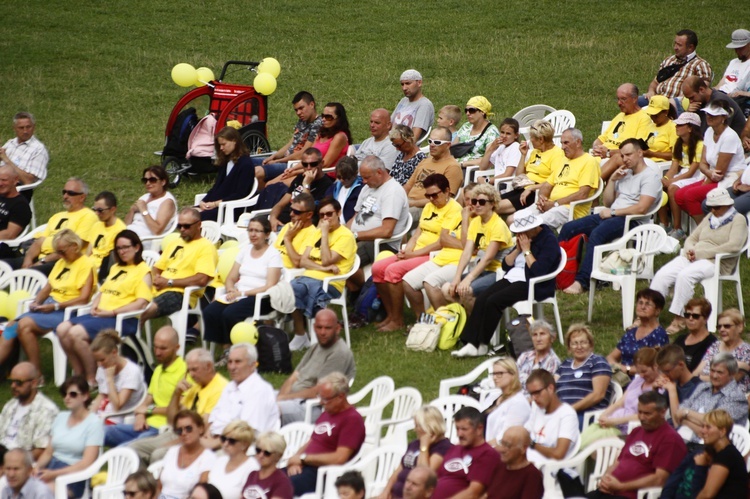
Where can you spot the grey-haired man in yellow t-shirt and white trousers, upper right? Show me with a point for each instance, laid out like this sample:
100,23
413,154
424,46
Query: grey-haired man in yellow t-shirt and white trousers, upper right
573,179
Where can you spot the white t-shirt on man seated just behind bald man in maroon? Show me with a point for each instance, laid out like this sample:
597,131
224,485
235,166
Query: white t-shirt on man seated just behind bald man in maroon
545,429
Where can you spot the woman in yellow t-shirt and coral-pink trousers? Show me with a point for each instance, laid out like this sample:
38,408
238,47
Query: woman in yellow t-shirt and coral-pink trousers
440,213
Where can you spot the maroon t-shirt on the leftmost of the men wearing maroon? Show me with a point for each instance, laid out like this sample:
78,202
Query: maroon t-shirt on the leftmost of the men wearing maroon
344,429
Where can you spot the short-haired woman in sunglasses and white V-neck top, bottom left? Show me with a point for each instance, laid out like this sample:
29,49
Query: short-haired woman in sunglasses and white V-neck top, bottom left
187,463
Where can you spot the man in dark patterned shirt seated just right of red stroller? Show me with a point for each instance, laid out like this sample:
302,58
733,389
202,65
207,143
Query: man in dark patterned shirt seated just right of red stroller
305,132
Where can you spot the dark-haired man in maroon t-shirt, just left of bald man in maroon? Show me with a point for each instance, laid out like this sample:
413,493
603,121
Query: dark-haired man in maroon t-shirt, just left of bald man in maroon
469,467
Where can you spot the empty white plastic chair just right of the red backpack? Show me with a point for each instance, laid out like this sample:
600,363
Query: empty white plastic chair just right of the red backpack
646,241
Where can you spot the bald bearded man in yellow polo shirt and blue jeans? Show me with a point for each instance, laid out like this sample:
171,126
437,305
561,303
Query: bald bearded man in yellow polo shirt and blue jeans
152,413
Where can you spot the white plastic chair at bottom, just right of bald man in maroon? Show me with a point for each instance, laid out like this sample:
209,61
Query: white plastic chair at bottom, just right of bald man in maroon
605,452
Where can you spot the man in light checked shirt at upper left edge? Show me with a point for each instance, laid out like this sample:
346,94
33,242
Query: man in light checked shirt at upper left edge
25,153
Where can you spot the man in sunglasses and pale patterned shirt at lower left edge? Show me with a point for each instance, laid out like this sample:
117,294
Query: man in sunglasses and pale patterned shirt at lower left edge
26,420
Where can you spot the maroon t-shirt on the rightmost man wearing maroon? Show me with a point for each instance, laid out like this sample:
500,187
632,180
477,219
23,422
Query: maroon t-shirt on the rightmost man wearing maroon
645,451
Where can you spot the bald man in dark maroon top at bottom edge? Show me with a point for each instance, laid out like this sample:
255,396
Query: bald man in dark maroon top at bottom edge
516,477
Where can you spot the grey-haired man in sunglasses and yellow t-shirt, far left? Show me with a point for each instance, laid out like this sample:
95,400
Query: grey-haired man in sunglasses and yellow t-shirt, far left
77,217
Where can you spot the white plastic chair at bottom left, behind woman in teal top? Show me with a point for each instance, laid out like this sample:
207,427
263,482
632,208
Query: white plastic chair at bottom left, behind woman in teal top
120,462
